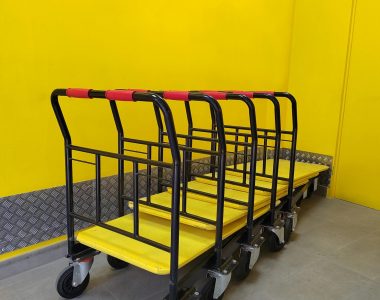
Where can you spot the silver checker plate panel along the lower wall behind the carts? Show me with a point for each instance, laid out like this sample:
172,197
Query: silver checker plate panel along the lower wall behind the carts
30,218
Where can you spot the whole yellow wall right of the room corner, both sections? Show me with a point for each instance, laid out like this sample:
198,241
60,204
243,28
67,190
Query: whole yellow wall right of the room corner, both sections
333,72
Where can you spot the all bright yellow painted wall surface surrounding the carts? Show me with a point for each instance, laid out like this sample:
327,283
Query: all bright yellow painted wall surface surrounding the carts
192,45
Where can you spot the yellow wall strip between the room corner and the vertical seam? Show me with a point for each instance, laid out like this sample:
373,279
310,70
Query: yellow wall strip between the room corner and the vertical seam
318,58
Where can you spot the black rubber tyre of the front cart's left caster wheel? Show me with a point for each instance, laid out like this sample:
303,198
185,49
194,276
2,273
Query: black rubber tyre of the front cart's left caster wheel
64,284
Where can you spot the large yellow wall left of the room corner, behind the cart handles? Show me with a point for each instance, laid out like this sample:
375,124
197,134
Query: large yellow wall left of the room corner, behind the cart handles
122,44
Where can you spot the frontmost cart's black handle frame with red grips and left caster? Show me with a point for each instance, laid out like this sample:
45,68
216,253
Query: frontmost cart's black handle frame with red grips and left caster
74,279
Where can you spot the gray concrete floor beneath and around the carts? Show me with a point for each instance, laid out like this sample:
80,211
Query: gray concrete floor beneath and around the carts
334,254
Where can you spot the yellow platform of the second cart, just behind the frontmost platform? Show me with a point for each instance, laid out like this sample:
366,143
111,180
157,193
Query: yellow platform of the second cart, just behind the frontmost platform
194,206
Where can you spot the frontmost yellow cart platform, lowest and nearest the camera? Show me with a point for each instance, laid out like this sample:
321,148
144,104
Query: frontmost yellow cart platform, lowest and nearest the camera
192,241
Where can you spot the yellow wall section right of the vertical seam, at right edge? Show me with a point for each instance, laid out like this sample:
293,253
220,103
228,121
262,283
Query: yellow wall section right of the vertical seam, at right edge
358,166
